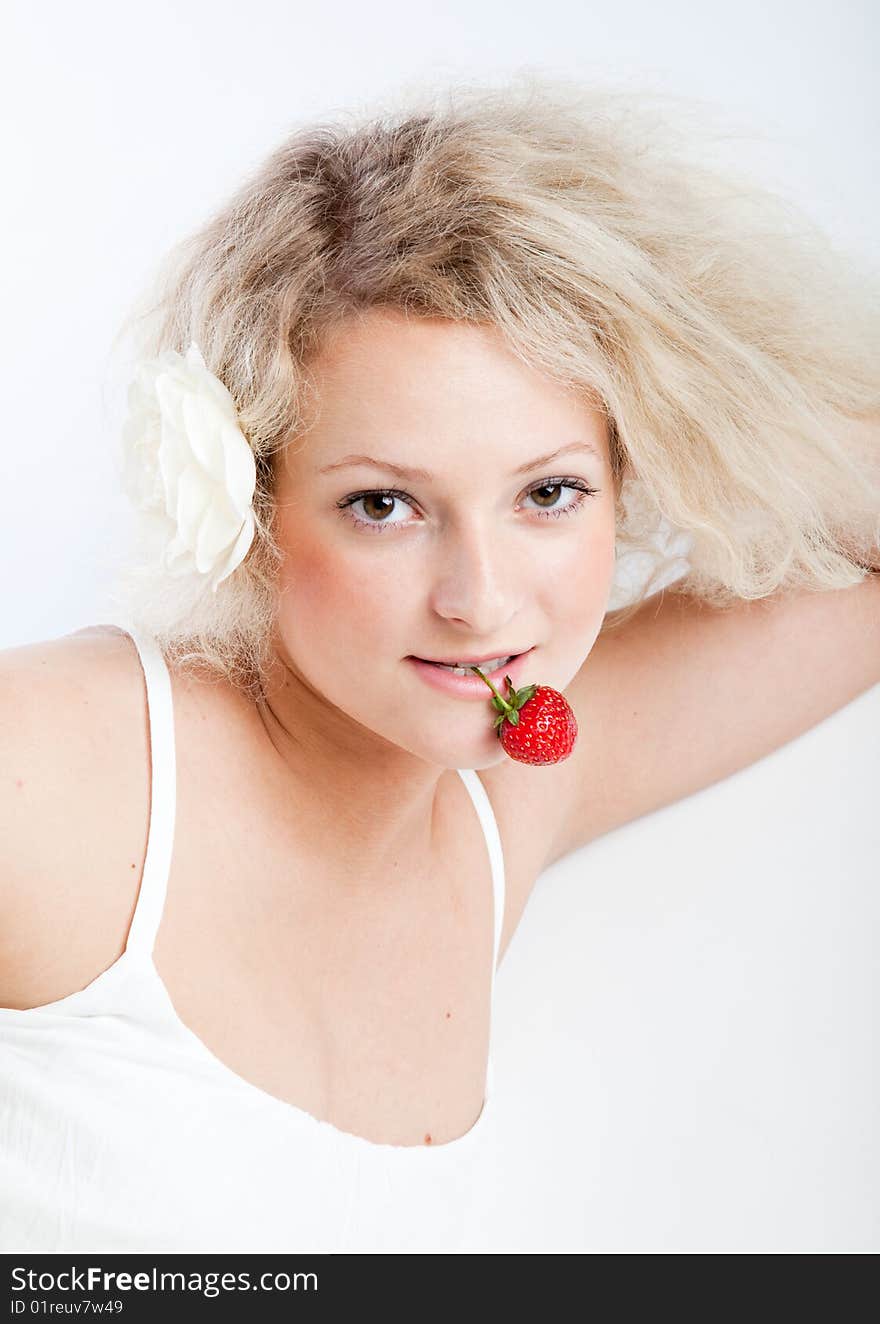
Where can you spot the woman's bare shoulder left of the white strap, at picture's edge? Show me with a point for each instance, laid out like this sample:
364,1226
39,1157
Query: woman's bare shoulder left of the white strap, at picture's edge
73,810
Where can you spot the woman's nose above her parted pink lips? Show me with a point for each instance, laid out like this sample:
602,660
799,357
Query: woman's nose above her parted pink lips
477,586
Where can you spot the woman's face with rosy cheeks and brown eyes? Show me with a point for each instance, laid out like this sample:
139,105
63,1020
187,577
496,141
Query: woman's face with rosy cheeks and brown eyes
490,550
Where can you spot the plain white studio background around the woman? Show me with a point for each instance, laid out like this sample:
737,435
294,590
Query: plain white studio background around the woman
685,1045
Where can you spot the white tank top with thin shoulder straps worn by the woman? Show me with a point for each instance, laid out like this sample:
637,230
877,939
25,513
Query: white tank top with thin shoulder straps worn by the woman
121,1131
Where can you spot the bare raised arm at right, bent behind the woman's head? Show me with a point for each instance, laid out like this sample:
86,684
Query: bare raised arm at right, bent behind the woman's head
683,696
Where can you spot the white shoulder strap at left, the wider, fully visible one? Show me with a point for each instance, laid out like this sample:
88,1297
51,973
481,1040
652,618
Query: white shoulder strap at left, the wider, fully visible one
163,795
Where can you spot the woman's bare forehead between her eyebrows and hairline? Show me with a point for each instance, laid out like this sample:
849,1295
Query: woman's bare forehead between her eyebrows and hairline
383,378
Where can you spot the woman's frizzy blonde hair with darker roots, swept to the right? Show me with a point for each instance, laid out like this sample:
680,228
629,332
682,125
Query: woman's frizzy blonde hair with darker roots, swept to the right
730,346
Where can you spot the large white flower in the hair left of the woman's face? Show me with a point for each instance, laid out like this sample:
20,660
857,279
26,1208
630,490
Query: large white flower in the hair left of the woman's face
189,467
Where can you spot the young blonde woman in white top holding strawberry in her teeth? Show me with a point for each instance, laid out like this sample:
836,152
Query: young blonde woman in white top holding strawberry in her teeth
411,394
